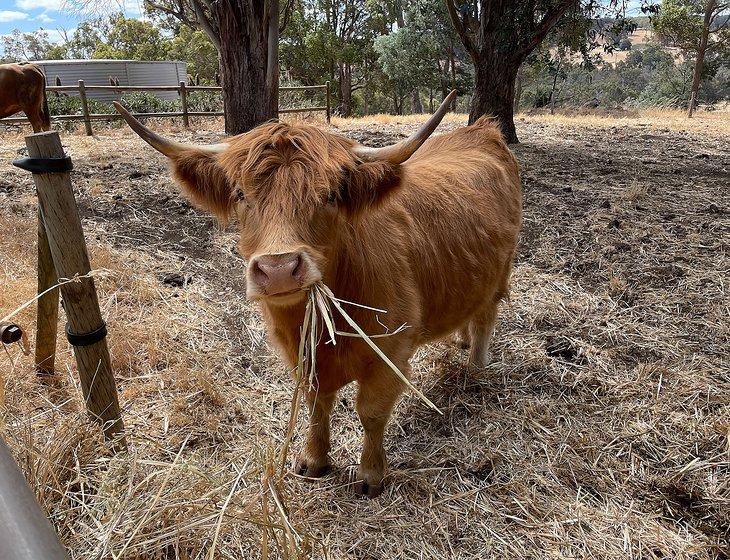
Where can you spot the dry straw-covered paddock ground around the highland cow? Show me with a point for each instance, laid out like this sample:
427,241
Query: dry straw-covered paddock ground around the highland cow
601,430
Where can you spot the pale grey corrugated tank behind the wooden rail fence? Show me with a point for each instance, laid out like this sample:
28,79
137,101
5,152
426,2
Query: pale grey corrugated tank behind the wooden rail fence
128,72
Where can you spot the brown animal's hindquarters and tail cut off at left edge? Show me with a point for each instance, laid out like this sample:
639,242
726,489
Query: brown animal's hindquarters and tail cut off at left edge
23,88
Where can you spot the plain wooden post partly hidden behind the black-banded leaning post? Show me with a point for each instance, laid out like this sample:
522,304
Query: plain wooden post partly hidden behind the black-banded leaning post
47,323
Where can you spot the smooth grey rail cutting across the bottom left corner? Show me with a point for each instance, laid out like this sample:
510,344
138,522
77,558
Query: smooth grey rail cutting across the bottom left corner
25,533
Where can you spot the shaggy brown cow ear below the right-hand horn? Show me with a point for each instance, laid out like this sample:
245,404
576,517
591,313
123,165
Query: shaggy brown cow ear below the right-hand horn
367,185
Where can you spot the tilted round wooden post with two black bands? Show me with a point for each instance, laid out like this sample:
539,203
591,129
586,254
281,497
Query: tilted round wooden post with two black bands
85,330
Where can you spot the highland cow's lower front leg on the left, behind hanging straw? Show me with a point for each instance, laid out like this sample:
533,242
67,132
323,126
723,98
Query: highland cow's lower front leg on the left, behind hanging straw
313,461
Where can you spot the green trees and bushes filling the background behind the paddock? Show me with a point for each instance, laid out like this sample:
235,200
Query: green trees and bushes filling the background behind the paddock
377,53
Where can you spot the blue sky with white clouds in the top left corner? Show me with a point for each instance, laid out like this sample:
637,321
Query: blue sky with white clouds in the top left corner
55,15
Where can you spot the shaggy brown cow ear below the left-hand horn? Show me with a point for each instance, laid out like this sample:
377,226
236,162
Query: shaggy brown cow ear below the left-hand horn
204,181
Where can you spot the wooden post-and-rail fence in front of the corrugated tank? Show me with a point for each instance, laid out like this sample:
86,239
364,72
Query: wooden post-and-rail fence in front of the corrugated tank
183,89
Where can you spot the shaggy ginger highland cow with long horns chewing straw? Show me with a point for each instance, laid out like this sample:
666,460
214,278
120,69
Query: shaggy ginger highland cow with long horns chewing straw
428,234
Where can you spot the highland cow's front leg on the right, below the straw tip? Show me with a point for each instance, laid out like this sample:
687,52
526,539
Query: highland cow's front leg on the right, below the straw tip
375,400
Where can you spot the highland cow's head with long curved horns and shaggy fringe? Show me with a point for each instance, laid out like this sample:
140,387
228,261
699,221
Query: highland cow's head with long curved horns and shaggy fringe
292,188
